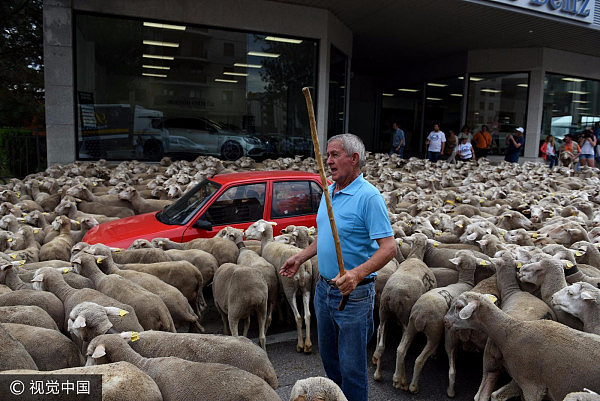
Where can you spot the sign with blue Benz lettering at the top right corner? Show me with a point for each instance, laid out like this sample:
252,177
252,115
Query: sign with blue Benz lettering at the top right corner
579,10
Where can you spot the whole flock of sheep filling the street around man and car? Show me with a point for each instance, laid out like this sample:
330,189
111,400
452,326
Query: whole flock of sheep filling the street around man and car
502,259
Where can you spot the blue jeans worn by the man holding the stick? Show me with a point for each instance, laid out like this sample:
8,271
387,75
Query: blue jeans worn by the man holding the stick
343,336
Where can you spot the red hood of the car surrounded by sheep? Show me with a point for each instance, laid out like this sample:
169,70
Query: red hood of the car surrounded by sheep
121,233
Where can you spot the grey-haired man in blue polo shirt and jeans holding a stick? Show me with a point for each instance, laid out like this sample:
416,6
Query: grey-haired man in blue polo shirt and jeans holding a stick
367,244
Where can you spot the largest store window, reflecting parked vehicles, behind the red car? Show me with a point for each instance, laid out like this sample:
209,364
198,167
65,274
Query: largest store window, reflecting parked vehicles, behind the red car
232,94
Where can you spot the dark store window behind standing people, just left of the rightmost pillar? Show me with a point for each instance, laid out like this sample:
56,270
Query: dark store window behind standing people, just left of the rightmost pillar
500,102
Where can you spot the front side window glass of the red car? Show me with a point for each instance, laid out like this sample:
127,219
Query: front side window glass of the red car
239,204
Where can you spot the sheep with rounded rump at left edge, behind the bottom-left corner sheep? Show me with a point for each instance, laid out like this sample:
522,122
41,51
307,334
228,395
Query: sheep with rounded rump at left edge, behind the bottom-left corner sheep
49,348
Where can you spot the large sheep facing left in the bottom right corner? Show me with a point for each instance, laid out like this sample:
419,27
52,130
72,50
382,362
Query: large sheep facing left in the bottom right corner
534,351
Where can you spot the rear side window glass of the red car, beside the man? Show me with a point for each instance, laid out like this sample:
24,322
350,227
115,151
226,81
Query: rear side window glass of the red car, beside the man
295,198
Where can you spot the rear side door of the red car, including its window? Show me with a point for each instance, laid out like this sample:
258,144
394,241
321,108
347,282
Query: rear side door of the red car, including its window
294,202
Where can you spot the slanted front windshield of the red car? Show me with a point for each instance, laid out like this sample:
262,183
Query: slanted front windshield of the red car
188,205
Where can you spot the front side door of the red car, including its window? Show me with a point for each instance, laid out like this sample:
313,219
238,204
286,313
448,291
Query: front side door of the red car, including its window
238,206
